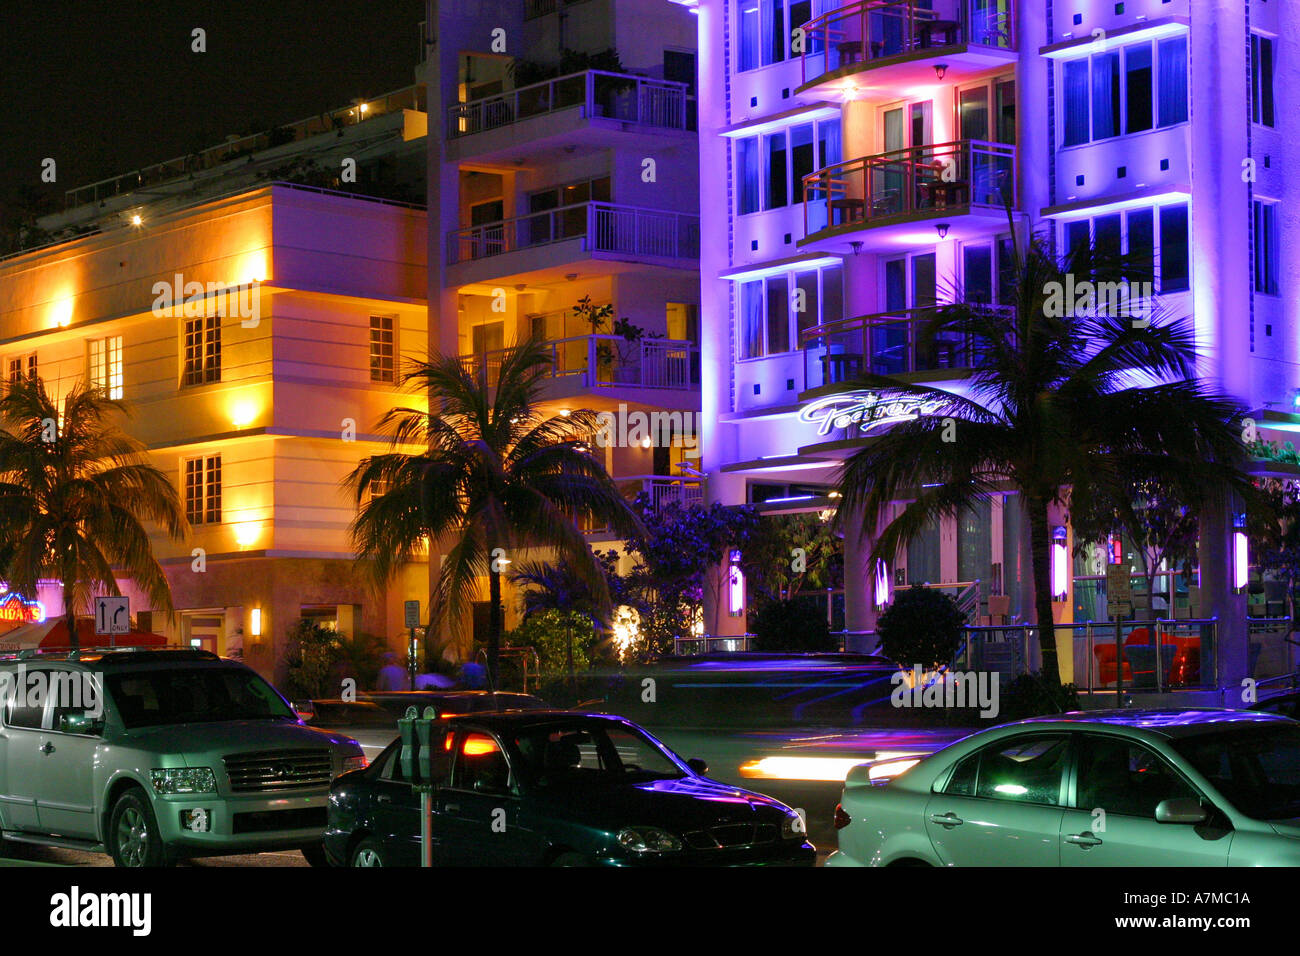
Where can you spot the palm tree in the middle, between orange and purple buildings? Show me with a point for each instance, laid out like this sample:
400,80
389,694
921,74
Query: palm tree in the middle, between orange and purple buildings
497,478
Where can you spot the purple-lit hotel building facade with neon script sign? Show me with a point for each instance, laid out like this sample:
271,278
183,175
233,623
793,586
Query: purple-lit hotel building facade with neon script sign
855,163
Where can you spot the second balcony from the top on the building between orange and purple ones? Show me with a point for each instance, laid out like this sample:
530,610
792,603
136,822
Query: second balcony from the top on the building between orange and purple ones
554,240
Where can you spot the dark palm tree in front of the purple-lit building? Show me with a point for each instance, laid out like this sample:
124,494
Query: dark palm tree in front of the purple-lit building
1055,406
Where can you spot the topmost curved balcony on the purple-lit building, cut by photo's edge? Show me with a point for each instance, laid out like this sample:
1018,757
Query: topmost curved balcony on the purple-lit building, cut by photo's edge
900,42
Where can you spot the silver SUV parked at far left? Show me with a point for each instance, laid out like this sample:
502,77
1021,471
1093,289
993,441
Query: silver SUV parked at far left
155,755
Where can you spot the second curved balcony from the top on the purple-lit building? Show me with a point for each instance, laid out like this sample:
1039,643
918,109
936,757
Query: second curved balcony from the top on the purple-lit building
878,201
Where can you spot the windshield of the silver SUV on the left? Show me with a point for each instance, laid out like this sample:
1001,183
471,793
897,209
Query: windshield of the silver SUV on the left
194,695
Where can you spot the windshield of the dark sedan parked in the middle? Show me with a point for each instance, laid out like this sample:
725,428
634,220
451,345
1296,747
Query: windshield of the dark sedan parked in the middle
582,755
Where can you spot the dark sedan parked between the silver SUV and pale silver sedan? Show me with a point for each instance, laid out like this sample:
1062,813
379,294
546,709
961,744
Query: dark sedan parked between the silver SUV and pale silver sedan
557,789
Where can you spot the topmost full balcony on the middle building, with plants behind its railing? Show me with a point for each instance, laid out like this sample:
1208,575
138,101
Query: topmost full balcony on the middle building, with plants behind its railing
580,110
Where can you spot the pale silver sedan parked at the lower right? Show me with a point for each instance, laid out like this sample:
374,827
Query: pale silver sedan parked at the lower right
1104,789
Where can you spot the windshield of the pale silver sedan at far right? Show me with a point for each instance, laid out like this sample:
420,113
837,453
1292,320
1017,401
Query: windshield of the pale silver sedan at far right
1256,768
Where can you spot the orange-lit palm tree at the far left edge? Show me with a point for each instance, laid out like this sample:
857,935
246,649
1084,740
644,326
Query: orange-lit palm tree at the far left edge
76,494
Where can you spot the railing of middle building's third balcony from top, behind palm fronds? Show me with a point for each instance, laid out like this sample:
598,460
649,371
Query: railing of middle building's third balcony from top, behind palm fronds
609,362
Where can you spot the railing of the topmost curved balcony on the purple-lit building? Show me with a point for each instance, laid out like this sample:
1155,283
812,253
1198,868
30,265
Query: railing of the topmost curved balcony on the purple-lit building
873,32
